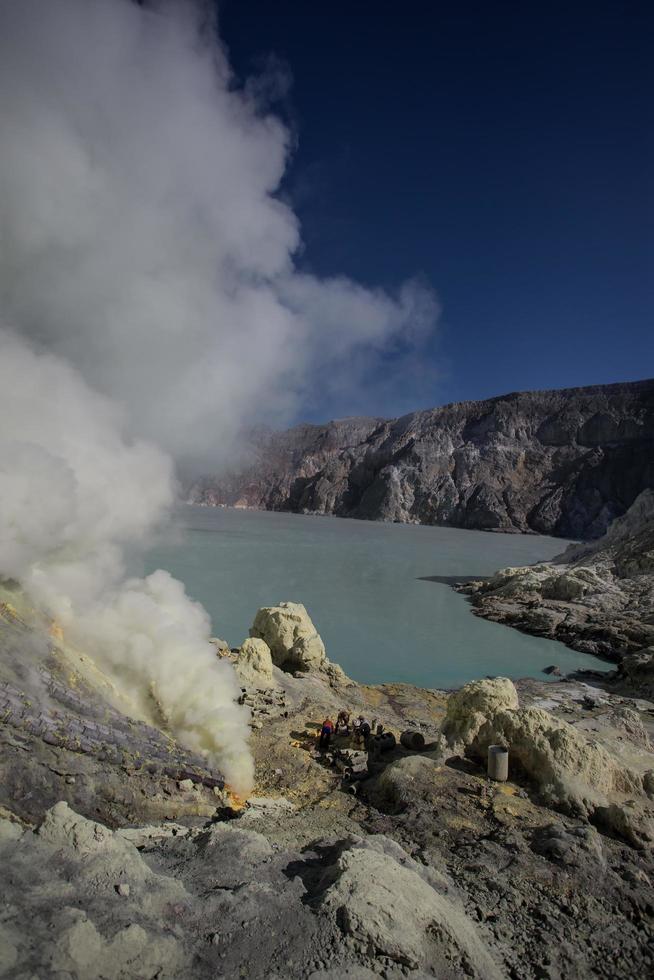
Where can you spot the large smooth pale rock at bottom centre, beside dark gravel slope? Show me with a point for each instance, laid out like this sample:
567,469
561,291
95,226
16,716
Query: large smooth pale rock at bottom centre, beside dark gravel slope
383,901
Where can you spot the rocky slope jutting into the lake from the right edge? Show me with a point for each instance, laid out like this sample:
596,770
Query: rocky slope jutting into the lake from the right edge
597,597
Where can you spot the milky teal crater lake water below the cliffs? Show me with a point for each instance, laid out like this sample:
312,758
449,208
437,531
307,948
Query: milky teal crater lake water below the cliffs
372,590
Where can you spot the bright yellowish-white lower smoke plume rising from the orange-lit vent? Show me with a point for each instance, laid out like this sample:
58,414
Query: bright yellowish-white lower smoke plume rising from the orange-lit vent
74,490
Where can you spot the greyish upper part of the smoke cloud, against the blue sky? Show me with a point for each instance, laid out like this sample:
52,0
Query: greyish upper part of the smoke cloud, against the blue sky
141,236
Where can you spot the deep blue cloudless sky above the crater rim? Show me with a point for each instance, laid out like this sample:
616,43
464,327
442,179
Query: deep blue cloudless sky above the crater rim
501,151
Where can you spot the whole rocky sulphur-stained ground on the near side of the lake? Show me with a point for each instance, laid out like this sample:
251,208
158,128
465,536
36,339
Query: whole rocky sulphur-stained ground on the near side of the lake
122,855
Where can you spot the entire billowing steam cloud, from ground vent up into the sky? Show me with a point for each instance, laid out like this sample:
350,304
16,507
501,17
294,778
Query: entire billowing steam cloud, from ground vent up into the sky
142,249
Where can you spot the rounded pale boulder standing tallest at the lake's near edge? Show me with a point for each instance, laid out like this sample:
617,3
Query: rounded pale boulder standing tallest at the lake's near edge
289,632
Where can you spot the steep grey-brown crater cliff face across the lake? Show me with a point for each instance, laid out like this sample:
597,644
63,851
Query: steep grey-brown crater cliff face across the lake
554,462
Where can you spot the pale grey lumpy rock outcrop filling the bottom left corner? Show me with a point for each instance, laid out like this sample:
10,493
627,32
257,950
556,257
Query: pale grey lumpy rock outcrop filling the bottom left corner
90,928
